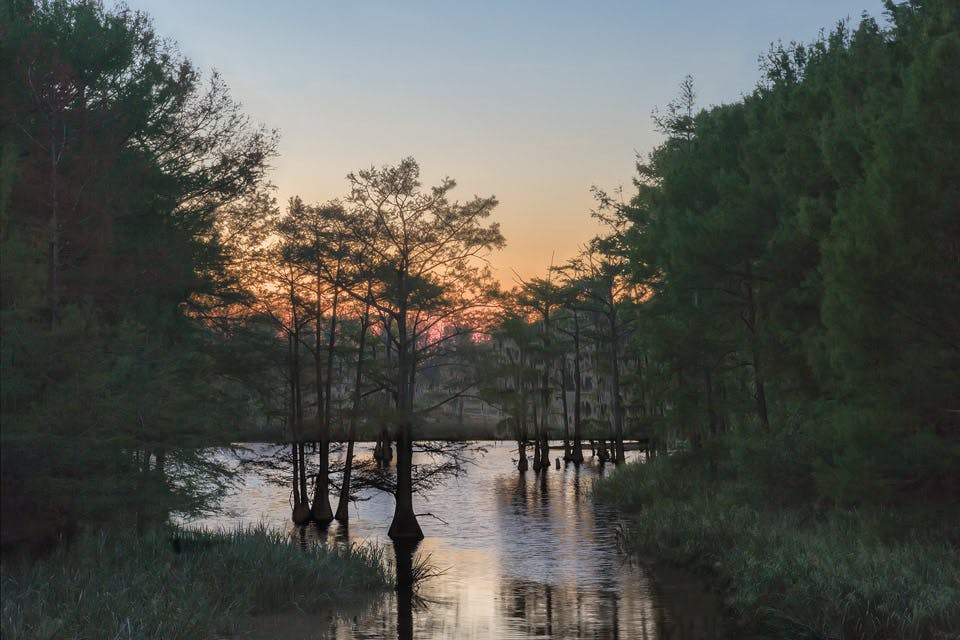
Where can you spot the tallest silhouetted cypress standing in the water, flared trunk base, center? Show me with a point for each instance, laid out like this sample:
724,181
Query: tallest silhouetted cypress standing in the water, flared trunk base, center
426,253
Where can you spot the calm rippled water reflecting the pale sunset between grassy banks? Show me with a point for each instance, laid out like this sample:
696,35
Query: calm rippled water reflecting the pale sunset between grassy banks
518,556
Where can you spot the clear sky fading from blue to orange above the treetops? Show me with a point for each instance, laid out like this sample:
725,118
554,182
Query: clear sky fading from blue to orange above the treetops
532,101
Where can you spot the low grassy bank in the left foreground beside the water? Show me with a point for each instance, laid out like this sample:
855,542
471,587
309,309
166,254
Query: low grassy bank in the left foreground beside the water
180,585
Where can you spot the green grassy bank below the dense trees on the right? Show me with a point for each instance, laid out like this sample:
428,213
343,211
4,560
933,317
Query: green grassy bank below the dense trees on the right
794,568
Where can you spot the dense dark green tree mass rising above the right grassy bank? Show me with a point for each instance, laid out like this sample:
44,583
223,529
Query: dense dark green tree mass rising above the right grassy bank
801,250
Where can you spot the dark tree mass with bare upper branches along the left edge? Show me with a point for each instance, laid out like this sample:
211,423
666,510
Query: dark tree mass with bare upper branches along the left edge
116,165
